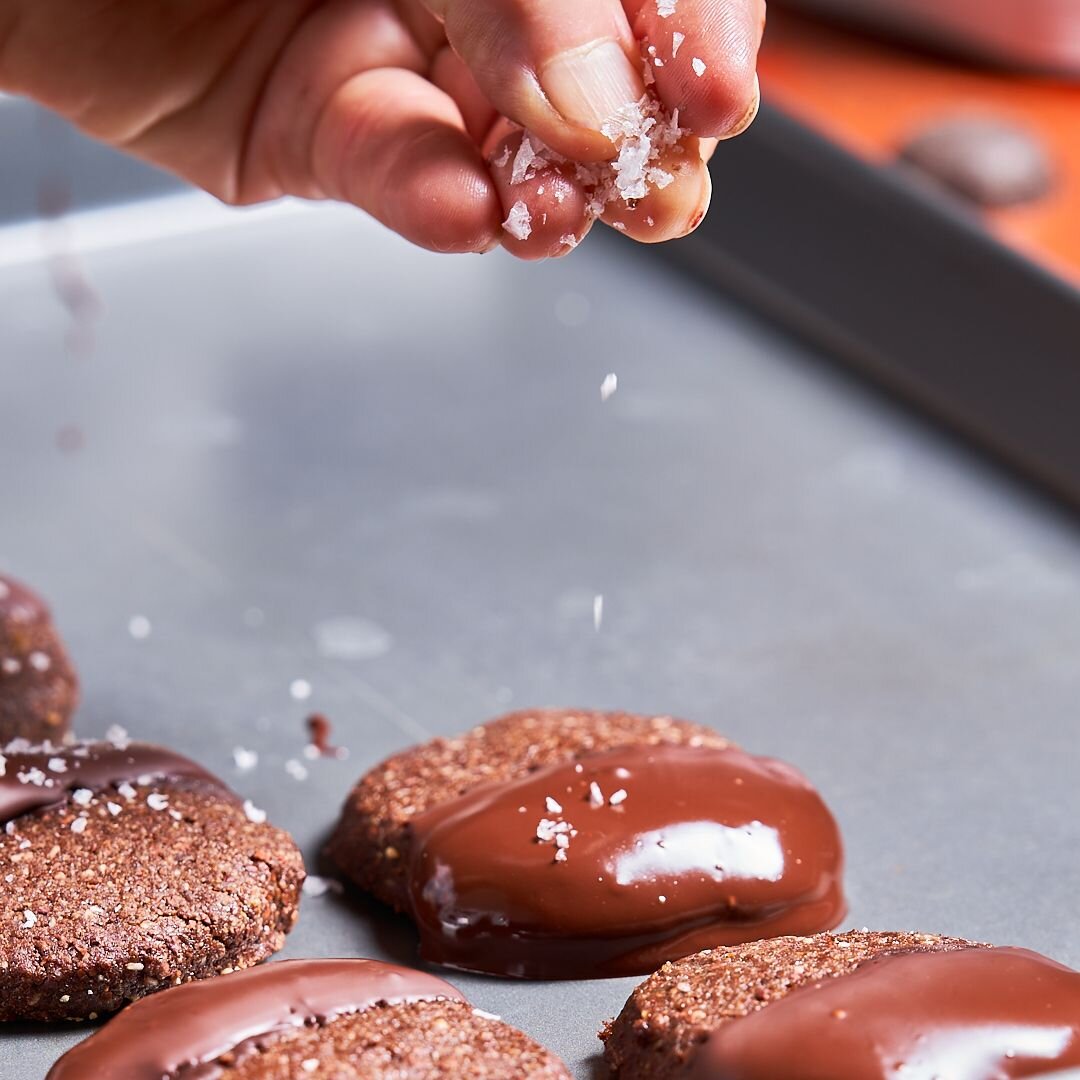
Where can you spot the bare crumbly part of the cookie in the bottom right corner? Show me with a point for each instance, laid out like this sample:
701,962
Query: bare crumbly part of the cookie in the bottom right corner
673,1011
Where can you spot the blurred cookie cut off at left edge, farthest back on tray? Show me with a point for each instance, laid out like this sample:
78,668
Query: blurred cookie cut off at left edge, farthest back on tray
39,690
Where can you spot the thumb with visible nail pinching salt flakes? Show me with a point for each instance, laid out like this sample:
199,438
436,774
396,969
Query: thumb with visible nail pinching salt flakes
559,69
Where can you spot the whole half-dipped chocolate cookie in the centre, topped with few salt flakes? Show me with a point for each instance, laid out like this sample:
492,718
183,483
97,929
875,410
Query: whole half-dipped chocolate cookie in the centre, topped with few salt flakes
569,845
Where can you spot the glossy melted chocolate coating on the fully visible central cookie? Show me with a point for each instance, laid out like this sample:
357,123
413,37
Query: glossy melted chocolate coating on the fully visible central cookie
612,866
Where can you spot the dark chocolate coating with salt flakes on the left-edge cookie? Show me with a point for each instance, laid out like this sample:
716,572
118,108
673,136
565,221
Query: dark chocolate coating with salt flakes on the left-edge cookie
34,778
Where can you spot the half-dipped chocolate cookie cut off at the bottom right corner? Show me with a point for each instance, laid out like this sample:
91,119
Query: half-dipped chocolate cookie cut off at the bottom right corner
860,1006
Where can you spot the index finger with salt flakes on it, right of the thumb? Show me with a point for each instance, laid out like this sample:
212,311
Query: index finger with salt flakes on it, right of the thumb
705,59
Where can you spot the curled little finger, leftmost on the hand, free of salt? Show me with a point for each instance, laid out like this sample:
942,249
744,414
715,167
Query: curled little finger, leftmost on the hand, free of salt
395,145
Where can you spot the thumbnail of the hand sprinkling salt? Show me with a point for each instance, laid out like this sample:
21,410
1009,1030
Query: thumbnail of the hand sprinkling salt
589,86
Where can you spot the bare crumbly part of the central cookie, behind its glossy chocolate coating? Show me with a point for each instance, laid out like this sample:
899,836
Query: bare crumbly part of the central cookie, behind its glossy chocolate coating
371,844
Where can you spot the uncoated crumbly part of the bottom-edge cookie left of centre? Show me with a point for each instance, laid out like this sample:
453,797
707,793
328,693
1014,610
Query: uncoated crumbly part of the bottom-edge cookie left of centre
422,1041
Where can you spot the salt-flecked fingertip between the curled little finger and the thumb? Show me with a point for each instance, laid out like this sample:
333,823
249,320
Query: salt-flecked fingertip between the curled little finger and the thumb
545,208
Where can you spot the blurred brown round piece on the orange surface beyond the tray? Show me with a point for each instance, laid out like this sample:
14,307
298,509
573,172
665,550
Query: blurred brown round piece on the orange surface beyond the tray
988,160
